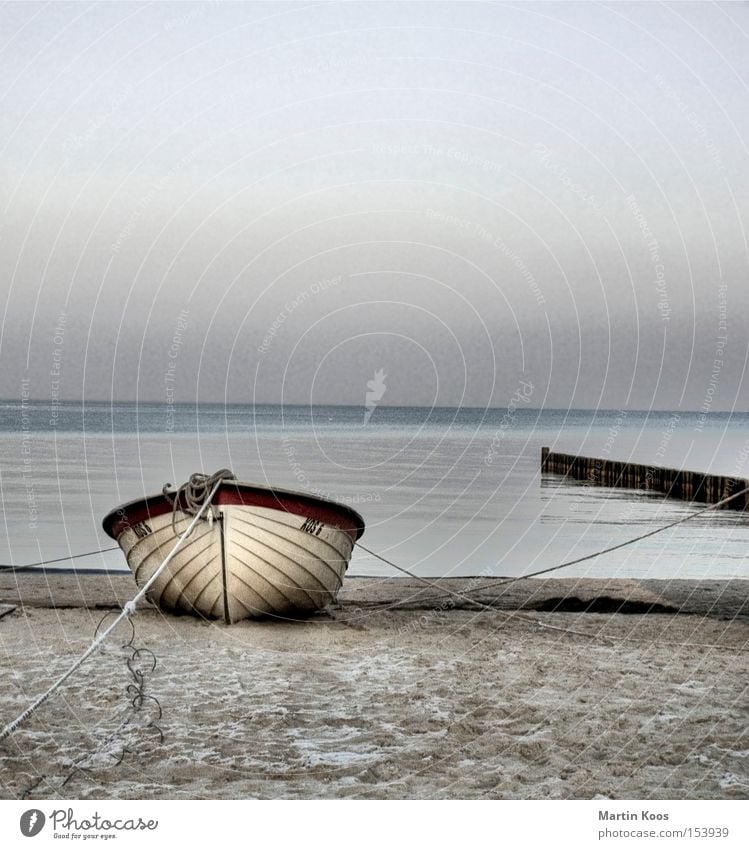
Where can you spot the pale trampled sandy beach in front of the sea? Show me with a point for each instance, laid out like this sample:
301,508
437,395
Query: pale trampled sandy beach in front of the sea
565,689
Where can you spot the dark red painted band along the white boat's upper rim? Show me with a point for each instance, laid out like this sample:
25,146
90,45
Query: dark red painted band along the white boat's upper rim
239,493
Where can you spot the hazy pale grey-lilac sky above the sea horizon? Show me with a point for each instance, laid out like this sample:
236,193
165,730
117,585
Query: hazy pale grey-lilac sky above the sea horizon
275,202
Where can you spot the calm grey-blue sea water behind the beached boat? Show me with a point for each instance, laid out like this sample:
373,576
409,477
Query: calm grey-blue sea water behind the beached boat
443,492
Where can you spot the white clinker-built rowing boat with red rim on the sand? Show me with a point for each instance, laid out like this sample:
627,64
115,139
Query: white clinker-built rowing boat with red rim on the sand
257,551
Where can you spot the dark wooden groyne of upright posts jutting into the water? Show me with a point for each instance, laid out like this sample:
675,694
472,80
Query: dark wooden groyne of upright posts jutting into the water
673,483
